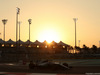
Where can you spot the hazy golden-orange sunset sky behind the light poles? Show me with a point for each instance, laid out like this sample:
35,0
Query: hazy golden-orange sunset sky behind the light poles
53,20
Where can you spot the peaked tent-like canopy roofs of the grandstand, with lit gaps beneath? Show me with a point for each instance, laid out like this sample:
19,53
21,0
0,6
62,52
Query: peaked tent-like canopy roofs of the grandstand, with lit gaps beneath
53,44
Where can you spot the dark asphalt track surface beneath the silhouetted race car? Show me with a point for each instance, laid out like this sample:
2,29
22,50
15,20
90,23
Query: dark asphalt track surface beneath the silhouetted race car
73,70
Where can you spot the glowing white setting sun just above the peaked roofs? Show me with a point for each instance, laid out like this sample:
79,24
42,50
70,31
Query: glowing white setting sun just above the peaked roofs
49,36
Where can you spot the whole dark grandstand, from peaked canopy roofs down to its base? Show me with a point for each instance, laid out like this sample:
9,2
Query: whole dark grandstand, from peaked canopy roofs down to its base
36,51
